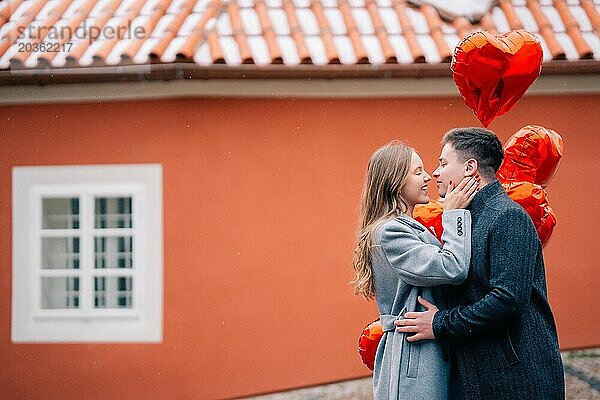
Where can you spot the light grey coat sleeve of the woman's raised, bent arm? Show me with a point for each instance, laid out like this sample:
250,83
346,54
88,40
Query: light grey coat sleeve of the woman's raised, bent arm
422,264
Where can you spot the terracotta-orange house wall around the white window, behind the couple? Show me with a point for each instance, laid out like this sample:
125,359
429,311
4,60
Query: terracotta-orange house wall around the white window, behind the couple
260,202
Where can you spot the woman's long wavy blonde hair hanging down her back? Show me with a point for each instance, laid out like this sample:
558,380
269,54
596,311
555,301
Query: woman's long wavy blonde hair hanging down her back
387,173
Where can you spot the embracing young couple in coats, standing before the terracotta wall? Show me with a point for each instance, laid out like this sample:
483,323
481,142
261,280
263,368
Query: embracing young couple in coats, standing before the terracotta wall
467,318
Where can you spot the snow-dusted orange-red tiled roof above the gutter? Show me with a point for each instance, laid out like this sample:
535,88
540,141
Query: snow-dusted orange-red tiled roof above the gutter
289,32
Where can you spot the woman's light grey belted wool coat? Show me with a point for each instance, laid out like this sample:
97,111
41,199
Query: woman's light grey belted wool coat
408,261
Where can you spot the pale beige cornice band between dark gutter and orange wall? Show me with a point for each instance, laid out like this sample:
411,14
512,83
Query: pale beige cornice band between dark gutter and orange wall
548,85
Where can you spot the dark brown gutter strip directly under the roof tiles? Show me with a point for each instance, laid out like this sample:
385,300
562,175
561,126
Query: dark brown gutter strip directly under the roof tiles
183,71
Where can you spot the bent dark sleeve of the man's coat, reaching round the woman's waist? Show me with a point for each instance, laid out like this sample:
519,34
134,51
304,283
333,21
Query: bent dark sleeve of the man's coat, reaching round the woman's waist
514,246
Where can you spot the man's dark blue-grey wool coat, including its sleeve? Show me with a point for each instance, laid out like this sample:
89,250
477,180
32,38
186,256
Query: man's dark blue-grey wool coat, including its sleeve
499,323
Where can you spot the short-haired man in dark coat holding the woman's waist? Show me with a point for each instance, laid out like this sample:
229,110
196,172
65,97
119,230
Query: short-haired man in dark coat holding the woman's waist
498,325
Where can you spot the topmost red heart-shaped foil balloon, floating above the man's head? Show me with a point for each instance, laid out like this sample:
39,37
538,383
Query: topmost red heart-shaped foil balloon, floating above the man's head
493,72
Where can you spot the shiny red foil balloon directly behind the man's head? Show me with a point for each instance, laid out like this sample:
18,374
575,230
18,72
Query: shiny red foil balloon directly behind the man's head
531,155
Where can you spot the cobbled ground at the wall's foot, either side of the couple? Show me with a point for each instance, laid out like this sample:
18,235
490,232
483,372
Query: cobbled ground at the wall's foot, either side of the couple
582,373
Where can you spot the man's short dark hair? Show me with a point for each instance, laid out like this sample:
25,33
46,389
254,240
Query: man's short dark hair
481,144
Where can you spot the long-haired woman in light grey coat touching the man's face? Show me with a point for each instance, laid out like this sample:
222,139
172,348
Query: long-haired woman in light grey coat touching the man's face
397,260
